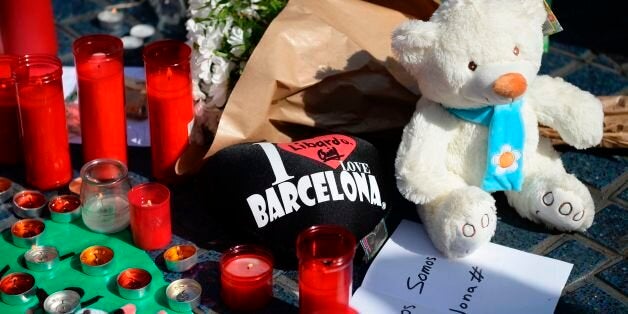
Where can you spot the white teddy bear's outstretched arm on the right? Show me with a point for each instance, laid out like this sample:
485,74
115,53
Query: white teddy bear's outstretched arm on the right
576,114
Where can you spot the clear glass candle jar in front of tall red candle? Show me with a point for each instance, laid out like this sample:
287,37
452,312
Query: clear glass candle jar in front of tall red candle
104,195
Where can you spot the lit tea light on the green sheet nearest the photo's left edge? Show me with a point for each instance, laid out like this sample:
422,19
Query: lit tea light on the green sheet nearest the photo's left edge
17,288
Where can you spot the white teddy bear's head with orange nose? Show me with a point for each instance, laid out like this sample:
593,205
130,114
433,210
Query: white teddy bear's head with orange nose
474,53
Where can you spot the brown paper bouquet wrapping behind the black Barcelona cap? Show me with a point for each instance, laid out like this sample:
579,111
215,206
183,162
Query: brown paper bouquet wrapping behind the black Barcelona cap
322,65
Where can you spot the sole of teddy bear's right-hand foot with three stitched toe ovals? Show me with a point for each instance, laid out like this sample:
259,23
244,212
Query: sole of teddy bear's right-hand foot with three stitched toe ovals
563,210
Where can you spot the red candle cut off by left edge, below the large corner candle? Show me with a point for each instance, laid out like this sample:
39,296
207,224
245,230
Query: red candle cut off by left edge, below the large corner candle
9,127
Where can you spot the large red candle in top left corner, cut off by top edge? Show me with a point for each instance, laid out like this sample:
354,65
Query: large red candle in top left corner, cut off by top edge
27,27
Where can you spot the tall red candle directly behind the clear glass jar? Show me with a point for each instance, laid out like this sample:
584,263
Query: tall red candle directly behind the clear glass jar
99,68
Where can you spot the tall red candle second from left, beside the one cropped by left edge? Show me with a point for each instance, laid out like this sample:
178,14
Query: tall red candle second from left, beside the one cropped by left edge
43,127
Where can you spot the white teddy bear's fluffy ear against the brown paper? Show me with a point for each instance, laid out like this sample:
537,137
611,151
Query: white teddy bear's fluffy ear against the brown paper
411,38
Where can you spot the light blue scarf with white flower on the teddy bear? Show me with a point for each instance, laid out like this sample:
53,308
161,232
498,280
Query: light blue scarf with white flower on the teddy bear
506,135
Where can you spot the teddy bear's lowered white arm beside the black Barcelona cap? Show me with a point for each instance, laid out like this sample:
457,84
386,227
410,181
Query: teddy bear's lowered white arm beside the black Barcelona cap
421,168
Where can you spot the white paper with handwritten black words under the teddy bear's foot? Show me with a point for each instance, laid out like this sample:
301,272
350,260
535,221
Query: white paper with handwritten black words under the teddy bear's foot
410,276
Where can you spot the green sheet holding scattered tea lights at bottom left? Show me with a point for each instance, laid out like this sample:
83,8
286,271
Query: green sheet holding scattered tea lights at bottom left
69,272
